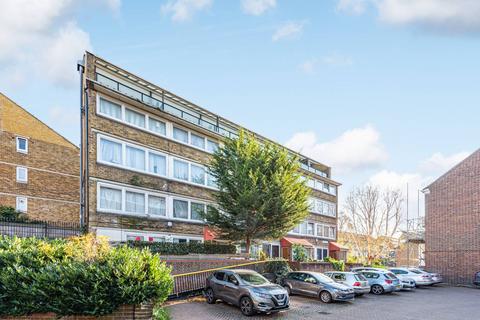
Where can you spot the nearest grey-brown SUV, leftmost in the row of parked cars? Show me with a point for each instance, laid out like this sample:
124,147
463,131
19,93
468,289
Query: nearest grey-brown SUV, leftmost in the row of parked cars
246,289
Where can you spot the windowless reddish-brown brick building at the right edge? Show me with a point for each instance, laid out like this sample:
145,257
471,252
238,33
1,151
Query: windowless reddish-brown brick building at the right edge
452,222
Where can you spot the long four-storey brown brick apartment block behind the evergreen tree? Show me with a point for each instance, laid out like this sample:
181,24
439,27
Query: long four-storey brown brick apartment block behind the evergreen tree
144,151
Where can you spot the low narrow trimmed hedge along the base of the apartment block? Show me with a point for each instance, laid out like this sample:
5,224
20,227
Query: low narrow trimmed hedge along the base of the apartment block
168,248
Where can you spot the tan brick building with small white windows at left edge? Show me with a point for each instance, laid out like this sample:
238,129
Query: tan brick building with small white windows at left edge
39,169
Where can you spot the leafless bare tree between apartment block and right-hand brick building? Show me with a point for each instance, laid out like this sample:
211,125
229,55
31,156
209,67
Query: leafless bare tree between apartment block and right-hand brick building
370,221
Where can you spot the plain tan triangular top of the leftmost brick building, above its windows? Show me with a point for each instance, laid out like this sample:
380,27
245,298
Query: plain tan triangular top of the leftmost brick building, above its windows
17,120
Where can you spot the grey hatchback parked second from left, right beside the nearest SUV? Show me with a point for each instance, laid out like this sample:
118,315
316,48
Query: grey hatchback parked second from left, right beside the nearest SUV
317,285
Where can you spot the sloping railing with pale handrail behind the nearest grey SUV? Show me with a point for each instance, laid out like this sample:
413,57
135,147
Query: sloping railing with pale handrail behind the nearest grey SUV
196,281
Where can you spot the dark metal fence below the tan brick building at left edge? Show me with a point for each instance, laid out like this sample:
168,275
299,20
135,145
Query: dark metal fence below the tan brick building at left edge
39,229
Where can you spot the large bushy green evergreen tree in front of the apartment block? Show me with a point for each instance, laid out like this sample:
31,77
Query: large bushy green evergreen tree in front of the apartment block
261,193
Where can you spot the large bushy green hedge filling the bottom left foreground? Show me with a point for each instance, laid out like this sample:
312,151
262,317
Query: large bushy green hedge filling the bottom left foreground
81,276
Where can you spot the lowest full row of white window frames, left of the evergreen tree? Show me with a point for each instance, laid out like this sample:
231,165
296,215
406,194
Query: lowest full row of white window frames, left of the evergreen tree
168,203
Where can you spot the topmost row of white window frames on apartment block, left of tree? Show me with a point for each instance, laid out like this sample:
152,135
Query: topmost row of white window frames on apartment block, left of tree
168,125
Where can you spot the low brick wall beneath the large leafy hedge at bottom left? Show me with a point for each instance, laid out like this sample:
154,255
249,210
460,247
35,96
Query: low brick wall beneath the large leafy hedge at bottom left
125,312
